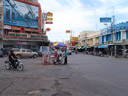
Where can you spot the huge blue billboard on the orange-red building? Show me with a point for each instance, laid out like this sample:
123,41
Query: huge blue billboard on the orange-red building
20,14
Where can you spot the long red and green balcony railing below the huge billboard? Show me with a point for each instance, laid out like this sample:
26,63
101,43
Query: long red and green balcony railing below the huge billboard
25,36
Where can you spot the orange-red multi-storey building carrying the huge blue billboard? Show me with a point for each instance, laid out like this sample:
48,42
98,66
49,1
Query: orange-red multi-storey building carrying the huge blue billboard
20,24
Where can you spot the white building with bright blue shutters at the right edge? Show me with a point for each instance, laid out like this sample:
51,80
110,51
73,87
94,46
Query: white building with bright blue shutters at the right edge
116,38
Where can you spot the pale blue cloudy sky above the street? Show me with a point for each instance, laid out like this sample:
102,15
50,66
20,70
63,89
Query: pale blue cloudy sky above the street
80,15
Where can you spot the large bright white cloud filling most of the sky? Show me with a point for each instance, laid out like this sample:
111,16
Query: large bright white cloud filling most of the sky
76,16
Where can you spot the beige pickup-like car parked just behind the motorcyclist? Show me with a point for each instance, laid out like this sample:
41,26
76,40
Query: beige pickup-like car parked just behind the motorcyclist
24,53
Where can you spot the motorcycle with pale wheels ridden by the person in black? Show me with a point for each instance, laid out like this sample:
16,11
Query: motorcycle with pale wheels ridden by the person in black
18,65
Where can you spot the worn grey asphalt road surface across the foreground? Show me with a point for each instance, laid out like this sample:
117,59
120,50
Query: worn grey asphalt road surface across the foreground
85,75
